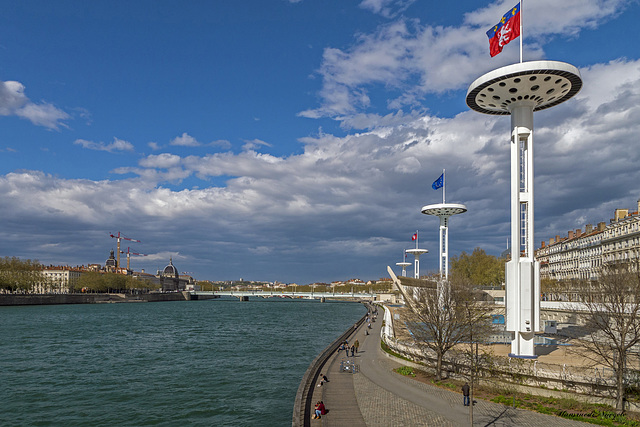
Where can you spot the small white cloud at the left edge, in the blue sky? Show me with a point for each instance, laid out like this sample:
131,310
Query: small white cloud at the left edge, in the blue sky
13,102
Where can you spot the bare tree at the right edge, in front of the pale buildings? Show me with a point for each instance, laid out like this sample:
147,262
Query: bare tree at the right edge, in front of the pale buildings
612,320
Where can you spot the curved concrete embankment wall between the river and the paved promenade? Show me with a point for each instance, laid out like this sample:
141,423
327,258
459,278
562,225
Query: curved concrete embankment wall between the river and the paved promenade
303,404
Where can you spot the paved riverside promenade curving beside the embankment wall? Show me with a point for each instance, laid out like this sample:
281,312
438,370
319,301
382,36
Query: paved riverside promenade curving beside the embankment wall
377,396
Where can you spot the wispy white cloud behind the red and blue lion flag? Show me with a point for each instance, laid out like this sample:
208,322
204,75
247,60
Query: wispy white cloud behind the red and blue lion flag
416,60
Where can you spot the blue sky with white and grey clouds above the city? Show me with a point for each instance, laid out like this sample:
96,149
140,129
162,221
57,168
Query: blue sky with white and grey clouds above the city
297,140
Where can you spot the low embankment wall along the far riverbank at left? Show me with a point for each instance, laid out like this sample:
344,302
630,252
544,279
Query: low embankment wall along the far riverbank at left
53,299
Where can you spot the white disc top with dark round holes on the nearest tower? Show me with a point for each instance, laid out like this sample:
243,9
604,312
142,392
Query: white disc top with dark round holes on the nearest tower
541,84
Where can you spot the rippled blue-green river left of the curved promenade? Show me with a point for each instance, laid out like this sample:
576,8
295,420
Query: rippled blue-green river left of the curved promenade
211,363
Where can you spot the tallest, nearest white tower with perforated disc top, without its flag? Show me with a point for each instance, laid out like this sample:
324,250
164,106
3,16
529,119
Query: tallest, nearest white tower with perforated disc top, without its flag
519,90
